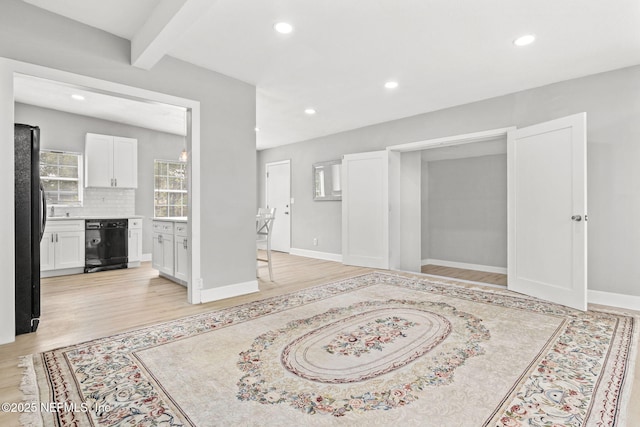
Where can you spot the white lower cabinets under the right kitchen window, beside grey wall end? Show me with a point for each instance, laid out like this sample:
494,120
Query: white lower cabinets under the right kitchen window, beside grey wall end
170,250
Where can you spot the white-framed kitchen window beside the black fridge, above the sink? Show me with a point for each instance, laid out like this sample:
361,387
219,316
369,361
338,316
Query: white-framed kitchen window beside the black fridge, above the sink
61,176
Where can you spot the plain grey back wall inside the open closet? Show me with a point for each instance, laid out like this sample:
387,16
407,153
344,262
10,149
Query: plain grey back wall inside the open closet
465,219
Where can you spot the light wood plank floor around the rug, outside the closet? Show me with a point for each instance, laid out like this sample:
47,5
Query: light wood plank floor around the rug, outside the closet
88,306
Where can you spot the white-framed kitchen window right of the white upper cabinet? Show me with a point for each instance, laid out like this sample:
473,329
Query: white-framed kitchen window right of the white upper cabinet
170,189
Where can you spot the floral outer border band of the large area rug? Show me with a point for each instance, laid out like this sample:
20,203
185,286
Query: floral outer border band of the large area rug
604,408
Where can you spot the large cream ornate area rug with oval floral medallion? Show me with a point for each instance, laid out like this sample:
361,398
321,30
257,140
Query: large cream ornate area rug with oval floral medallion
377,349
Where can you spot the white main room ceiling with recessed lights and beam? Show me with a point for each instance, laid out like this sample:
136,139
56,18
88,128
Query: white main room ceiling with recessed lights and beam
442,53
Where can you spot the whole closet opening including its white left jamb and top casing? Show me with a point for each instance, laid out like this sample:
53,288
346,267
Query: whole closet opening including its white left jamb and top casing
449,206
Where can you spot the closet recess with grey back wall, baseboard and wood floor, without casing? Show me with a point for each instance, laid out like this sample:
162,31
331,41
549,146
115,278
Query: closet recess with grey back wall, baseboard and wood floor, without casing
464,211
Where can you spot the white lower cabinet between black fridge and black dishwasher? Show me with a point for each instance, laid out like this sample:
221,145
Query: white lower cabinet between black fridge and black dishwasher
62,248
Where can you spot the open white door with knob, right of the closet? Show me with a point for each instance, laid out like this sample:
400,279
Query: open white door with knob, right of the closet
548,211
